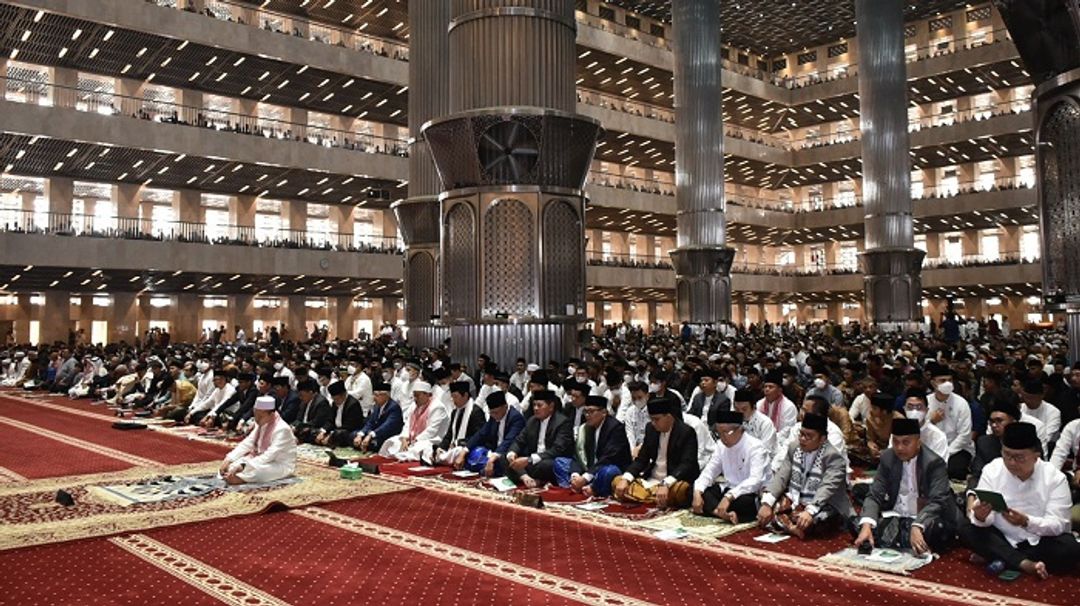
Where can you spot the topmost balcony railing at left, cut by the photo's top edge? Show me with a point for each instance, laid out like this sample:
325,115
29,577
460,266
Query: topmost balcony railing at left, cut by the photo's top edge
272,21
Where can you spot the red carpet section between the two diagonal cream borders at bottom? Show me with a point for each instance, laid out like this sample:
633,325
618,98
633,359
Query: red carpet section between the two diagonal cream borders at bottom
302,561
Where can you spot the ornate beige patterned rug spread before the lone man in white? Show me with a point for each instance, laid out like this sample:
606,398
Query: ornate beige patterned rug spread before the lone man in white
31,516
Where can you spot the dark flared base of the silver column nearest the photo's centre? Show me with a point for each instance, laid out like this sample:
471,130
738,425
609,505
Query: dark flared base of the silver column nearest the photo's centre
704,285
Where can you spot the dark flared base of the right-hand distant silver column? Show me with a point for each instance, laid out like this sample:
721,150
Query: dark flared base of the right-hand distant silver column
894,286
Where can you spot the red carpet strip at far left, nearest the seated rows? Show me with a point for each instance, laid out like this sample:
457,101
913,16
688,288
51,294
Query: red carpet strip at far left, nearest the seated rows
142,443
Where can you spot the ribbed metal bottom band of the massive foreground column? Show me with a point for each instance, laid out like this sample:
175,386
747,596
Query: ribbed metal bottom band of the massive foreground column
505,343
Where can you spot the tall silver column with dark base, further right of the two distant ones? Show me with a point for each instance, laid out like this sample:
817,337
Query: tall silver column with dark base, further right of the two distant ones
892,264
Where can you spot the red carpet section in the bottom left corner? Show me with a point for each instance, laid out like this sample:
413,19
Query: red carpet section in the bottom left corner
90,573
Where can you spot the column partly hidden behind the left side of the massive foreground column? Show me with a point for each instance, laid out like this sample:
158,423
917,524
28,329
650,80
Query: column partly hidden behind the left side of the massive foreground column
418,216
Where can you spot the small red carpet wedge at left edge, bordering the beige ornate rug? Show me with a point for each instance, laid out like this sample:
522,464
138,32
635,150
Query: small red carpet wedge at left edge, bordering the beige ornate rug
35,456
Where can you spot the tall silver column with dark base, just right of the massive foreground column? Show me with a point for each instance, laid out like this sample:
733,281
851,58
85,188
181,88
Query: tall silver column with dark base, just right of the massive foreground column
703,260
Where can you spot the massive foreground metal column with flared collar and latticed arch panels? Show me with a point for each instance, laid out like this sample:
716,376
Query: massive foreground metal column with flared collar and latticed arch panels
514,158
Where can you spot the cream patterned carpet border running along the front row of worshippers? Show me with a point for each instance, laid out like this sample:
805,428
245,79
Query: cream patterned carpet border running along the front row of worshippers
805,565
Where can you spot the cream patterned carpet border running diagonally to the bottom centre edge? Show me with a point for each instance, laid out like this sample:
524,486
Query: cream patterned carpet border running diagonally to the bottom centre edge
502,570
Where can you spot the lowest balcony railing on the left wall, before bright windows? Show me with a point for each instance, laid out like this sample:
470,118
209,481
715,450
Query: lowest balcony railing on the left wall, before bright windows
136,228
